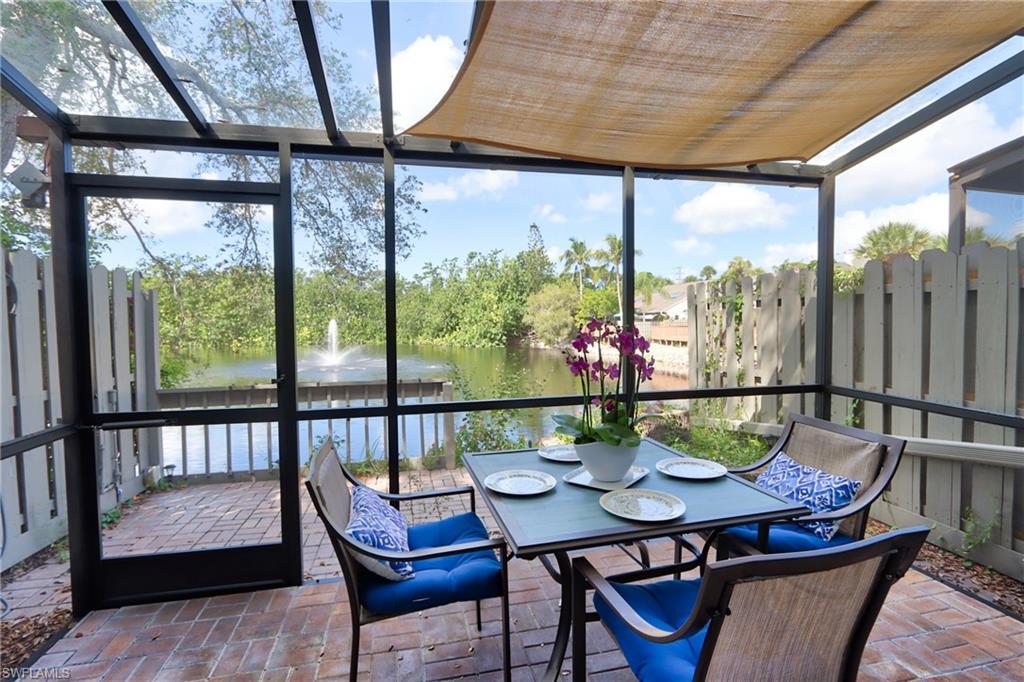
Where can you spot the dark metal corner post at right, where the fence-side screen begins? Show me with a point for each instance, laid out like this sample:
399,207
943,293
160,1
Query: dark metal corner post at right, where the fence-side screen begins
827,261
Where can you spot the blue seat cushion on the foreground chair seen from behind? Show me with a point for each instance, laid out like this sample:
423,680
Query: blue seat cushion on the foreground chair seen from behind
667,606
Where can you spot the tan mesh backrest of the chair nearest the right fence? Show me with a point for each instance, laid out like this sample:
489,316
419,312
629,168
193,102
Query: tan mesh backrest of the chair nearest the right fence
843,451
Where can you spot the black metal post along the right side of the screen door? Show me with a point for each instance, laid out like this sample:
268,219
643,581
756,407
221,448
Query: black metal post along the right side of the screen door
288,429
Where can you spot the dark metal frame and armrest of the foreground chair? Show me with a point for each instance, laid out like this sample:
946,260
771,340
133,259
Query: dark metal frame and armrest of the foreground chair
711,609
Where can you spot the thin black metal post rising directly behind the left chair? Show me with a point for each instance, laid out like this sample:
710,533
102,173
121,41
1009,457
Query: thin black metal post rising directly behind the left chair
392,321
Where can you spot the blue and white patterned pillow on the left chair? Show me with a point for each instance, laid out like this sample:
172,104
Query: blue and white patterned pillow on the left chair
373,522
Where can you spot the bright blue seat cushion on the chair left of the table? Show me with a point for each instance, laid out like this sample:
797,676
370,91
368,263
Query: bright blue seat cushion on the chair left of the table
442,581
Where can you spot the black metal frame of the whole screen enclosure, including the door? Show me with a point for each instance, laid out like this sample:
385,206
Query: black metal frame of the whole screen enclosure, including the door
69,248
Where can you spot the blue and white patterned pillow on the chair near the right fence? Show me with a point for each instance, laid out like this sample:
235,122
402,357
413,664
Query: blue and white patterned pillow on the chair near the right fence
817,490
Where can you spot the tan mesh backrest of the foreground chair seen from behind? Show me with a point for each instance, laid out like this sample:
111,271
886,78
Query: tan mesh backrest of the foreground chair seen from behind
801,616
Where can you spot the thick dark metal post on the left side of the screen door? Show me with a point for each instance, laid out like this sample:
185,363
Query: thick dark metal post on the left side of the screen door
71,299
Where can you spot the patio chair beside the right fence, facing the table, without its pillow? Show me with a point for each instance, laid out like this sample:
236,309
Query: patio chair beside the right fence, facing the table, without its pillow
871,458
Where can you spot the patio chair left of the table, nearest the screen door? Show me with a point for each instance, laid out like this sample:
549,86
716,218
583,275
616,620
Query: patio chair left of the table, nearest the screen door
453,560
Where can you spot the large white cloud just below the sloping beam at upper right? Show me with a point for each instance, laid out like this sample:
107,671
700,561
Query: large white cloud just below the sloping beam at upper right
920,162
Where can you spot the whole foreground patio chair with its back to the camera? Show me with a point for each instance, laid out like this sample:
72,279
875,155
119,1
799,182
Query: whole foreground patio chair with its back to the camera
795,617
